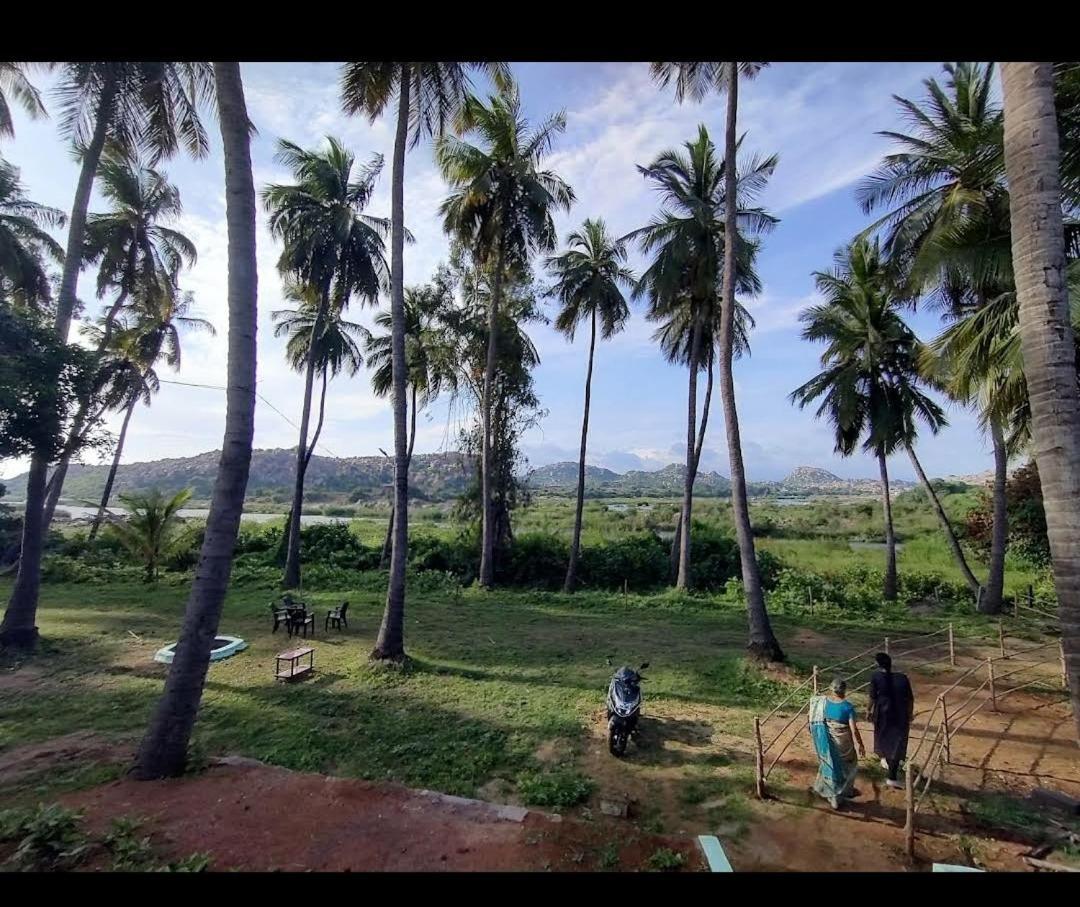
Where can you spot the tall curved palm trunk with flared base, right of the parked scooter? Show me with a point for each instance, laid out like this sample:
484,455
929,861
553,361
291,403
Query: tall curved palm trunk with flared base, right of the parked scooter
763,642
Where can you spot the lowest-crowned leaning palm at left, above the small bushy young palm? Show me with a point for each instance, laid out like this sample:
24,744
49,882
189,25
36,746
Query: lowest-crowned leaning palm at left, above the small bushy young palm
154,336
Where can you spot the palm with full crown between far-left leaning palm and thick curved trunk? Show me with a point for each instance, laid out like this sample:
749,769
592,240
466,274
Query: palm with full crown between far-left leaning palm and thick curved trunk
137,253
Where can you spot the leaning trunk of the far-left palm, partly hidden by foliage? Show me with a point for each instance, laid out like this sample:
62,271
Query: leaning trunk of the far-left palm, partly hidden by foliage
24,598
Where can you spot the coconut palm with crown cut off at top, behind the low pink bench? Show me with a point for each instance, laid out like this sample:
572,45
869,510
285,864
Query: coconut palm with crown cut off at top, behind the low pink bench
429,98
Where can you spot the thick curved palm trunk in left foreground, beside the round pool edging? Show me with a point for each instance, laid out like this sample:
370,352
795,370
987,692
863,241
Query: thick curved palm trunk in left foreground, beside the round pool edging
164,751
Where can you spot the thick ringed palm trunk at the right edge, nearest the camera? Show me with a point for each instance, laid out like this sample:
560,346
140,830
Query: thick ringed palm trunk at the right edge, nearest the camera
1033,161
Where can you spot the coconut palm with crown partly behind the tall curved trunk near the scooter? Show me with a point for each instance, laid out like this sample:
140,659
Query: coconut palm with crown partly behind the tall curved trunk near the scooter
688,243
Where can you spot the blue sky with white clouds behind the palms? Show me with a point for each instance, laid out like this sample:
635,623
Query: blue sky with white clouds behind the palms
821,119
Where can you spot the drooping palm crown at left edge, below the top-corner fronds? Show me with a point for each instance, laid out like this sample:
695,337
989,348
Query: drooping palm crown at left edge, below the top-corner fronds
25,243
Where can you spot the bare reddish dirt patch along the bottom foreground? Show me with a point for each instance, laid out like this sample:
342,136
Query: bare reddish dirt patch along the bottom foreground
253,817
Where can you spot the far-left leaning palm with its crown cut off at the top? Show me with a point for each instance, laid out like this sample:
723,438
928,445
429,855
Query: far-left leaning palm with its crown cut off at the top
151,105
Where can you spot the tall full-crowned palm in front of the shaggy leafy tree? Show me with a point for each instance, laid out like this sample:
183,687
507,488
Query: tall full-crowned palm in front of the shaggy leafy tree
501,208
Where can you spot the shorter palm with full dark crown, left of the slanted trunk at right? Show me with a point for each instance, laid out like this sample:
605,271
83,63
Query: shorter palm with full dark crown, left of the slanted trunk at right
870,384
